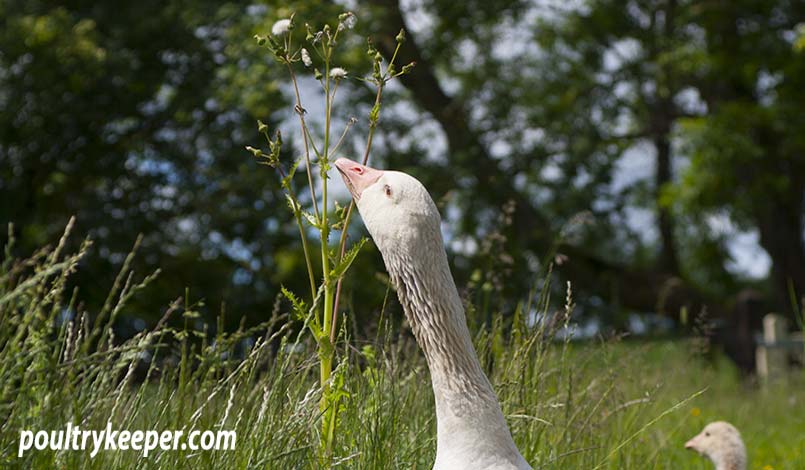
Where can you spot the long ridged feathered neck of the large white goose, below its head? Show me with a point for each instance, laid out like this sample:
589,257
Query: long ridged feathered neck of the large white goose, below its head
467,409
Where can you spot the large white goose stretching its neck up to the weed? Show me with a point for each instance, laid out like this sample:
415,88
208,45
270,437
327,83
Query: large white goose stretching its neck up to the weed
405,225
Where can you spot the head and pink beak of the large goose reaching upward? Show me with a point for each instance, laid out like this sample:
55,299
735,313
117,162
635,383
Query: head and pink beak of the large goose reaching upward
396,208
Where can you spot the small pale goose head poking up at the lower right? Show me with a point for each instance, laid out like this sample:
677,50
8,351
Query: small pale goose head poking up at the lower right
722,444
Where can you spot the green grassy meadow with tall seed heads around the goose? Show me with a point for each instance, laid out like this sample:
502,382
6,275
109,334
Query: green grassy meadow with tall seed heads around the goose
612,405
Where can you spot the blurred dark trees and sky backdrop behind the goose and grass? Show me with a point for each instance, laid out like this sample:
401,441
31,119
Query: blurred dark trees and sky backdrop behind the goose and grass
650,152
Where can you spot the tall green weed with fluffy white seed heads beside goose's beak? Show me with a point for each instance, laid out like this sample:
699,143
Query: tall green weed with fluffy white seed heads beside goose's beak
318,309
